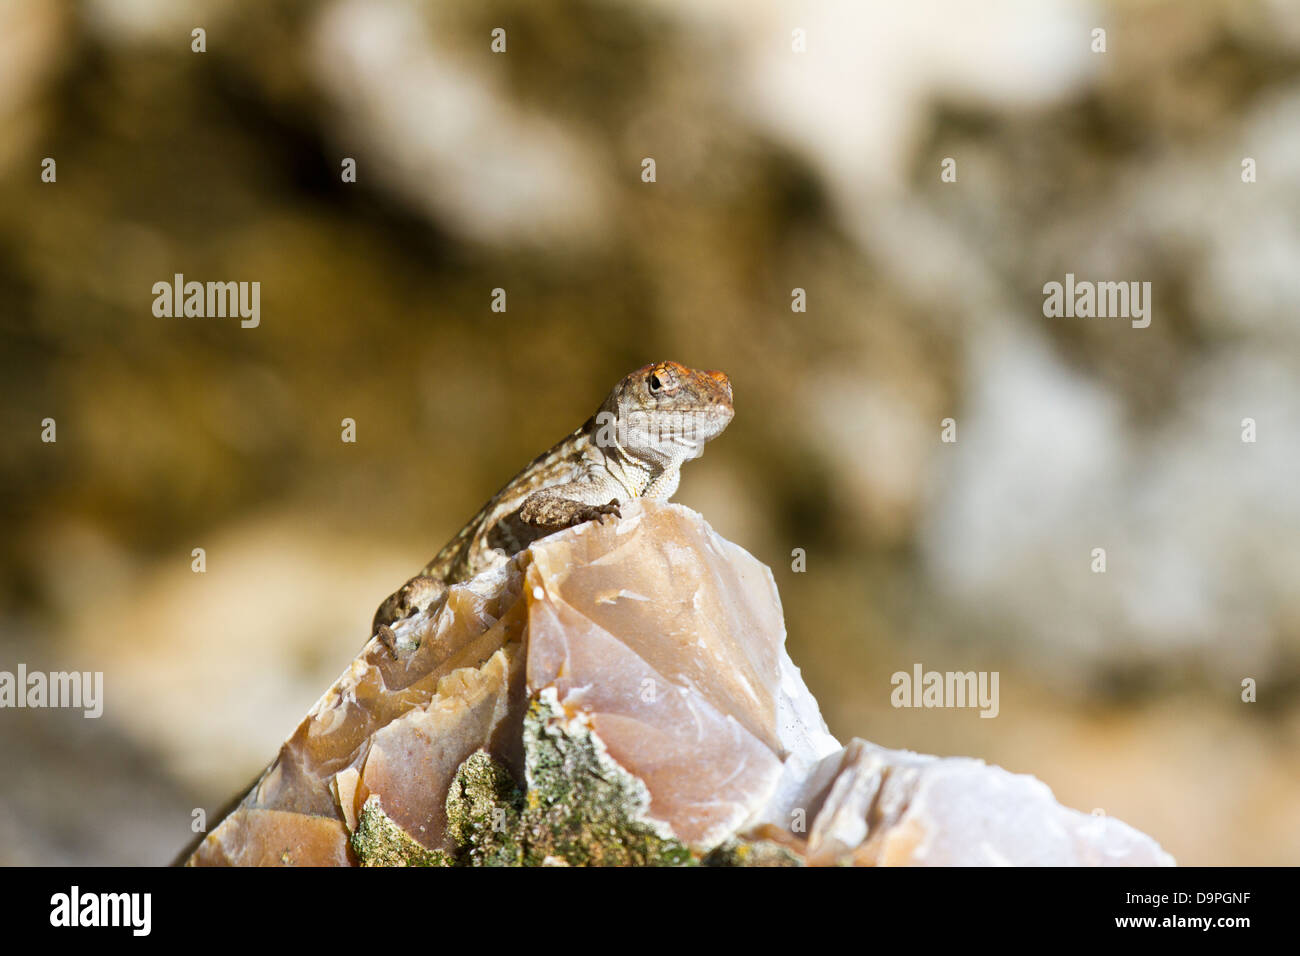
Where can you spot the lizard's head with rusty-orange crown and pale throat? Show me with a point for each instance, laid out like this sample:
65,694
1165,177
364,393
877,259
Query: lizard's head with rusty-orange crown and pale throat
665,412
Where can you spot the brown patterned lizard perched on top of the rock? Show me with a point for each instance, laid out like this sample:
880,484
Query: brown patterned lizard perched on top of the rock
656,419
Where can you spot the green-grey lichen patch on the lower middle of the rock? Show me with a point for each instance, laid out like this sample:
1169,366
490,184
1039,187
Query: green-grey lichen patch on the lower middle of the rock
580,808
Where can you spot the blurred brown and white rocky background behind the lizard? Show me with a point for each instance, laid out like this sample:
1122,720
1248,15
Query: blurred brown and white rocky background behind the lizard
775,170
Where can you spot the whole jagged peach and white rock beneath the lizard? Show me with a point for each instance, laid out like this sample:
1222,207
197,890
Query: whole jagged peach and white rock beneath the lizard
621,694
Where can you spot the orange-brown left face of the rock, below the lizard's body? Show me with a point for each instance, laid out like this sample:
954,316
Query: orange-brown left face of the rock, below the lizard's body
397,730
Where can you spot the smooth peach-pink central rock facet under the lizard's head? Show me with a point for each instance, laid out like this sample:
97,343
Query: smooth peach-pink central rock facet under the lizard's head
670,641
